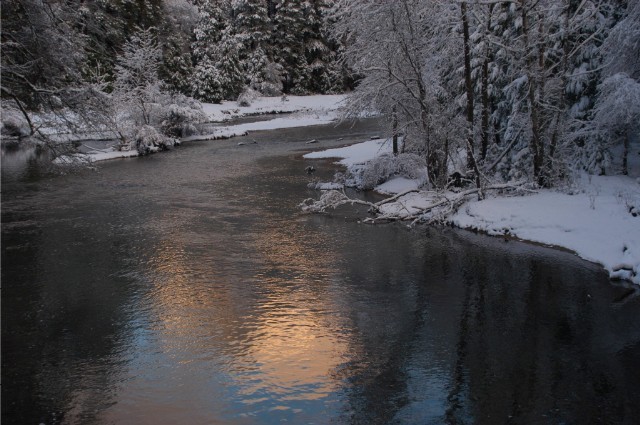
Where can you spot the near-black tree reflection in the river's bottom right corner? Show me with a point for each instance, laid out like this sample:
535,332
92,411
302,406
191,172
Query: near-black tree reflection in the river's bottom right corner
533,344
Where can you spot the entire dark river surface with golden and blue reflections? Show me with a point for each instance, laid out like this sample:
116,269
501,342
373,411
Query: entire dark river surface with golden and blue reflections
186,288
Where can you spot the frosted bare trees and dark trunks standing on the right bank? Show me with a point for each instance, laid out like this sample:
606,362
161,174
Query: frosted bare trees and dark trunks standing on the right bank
522,89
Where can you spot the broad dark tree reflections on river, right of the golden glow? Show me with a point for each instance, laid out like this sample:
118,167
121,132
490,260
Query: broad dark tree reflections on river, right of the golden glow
522,336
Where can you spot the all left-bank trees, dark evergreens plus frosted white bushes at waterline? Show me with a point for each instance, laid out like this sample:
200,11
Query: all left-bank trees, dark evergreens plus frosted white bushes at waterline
133,67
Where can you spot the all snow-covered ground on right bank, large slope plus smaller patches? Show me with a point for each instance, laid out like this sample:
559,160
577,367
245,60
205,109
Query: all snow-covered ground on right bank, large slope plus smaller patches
594,219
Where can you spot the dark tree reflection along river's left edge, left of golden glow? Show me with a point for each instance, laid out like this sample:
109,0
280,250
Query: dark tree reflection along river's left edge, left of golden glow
64,312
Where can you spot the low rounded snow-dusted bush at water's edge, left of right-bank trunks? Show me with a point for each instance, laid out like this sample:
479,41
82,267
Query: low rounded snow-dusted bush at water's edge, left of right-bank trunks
380,169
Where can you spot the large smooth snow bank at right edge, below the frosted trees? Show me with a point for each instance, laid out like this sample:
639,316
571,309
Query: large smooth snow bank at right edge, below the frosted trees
596,224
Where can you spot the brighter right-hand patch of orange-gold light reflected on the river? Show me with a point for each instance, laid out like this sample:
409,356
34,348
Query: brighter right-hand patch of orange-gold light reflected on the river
294,347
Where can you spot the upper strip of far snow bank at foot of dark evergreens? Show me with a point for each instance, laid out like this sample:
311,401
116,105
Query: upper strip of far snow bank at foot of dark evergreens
272,105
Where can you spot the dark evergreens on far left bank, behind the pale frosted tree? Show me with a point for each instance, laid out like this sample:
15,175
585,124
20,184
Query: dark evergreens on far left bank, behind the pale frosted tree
211,49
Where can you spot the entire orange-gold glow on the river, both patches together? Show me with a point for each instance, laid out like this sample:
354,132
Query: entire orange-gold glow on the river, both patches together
267,329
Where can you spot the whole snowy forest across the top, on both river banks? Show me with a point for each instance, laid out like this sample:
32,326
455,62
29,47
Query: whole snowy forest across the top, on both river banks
522,89
